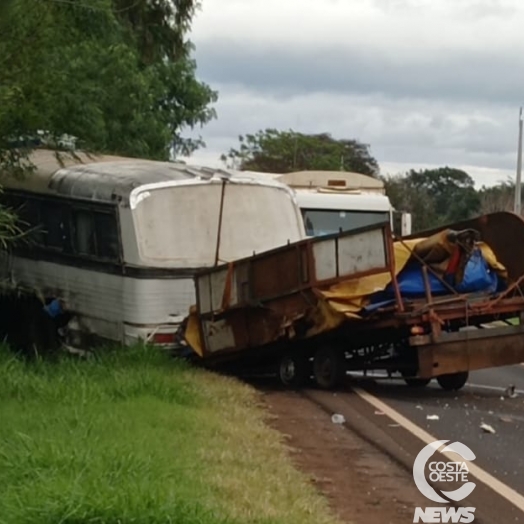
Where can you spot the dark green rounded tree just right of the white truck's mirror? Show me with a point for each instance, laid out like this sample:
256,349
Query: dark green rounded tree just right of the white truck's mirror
434,196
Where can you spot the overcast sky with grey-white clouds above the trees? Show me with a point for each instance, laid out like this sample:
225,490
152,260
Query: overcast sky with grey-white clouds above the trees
423,82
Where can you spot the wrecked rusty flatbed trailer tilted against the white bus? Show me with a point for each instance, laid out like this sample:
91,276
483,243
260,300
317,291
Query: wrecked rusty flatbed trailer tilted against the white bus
273,308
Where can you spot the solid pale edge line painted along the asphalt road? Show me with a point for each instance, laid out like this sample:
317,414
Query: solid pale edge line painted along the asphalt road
491,482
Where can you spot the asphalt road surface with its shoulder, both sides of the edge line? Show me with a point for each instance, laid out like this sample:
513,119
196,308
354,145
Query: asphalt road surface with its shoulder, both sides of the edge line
460,414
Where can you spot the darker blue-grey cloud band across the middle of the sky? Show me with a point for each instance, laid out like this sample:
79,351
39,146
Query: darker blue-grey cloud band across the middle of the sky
461,76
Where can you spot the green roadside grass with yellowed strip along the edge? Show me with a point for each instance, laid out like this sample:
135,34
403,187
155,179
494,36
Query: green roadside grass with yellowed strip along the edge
136,437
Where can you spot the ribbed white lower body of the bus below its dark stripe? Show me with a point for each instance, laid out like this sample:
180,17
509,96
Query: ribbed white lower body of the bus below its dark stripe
105,304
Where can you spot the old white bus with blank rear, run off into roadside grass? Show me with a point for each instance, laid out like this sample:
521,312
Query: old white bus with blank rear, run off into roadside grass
118,240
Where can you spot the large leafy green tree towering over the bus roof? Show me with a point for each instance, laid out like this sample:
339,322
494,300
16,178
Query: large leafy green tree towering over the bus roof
116,74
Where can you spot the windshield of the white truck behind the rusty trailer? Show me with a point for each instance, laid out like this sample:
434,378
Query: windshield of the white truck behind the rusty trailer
320,222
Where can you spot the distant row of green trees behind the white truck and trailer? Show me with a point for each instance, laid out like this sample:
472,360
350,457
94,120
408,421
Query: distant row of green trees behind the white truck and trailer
434,197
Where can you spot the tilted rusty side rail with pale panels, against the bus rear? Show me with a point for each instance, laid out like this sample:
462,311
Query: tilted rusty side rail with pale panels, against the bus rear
268,297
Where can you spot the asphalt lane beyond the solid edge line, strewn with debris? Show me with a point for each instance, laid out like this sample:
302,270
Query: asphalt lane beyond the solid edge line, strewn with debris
460,415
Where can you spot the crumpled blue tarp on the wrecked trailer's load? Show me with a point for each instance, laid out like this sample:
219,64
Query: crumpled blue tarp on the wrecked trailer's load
478,277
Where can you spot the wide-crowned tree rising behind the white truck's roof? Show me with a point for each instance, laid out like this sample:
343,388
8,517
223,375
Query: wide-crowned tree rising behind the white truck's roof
286,151
